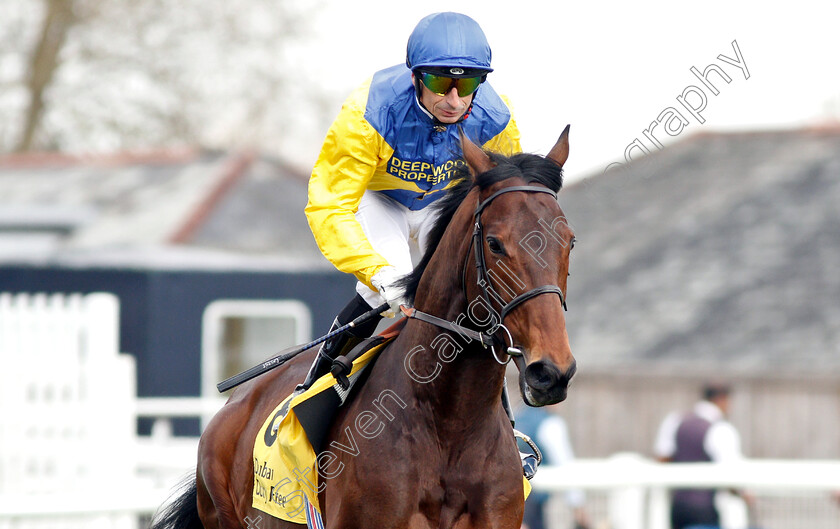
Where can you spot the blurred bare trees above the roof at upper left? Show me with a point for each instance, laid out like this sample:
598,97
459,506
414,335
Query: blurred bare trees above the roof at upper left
99,75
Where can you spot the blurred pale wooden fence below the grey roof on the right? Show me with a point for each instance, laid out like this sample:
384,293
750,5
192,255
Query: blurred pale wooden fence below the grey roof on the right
779,414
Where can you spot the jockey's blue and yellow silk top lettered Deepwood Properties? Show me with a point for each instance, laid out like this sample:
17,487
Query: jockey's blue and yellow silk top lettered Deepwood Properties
384,141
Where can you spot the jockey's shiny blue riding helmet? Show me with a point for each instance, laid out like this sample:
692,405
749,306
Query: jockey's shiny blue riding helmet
449,40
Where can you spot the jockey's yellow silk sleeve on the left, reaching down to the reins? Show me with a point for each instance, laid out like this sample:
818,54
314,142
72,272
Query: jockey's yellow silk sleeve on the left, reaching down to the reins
347,161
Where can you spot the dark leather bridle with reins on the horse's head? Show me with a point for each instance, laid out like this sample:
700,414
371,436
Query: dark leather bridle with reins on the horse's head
488,339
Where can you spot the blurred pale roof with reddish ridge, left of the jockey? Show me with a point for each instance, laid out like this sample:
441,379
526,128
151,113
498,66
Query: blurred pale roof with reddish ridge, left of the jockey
182,208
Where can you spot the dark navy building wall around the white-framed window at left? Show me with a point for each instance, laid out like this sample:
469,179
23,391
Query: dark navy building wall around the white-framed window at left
161,311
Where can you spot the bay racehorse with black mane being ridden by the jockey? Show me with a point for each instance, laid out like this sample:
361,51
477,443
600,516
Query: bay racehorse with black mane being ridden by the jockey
428,444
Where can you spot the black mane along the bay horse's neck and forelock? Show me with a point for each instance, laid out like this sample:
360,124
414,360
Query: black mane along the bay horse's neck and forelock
531,168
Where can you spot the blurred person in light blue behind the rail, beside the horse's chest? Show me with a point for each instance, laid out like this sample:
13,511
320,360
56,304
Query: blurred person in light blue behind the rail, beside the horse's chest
549,431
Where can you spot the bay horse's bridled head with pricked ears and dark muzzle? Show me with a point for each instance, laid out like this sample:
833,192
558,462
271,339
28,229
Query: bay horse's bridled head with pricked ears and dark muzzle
521,246
